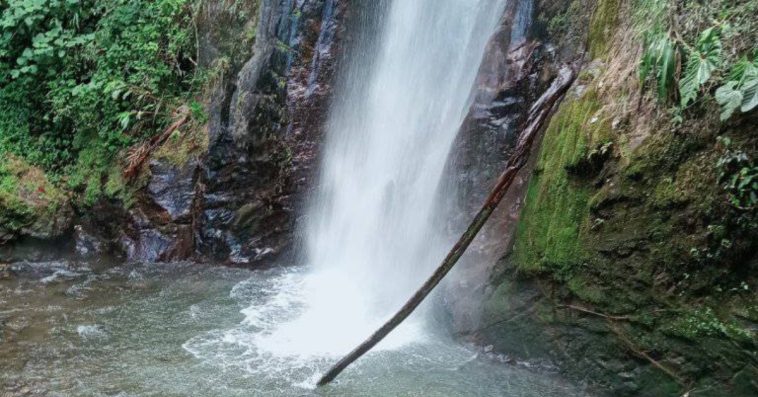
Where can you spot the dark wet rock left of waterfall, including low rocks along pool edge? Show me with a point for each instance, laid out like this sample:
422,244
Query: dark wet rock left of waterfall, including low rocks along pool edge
234,202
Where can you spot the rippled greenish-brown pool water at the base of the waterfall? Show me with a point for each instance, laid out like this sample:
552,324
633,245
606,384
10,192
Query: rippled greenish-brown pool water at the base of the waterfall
193,330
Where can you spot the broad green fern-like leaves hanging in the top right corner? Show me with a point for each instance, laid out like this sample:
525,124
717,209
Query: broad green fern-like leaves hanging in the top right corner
696,55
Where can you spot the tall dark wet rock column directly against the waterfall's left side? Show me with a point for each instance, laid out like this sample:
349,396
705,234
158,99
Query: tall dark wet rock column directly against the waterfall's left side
264,136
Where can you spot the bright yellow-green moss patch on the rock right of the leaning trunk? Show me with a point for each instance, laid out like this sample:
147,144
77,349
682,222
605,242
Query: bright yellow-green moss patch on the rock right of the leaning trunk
556,208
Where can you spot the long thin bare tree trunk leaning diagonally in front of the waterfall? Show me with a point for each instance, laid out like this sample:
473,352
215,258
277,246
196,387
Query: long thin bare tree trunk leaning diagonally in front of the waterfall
538,115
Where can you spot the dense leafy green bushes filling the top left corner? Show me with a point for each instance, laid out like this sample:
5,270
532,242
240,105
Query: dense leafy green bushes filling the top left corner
88,78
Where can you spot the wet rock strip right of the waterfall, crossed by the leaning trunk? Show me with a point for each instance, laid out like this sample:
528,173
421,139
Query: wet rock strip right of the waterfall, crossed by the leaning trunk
513,74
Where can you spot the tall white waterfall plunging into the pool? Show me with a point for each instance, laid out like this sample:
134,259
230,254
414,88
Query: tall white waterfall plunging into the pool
371,235
